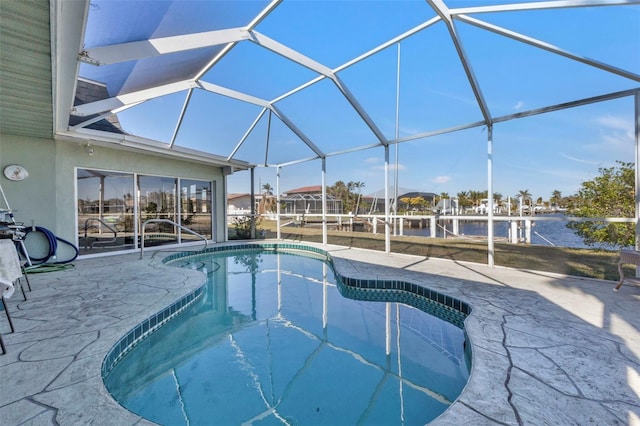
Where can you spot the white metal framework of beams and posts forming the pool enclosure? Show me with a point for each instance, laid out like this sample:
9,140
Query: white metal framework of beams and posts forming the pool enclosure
68,28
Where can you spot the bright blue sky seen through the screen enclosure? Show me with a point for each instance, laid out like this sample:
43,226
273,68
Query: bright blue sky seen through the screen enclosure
542,153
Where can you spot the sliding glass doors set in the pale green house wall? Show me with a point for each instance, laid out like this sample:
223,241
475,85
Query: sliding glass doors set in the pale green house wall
113,207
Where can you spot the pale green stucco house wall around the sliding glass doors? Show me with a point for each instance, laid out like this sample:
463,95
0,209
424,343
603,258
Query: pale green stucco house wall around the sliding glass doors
47,197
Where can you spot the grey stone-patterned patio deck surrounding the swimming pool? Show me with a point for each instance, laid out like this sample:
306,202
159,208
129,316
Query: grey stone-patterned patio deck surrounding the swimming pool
547,349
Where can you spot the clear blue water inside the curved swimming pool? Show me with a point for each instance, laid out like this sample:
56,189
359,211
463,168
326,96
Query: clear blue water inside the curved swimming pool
272,341
